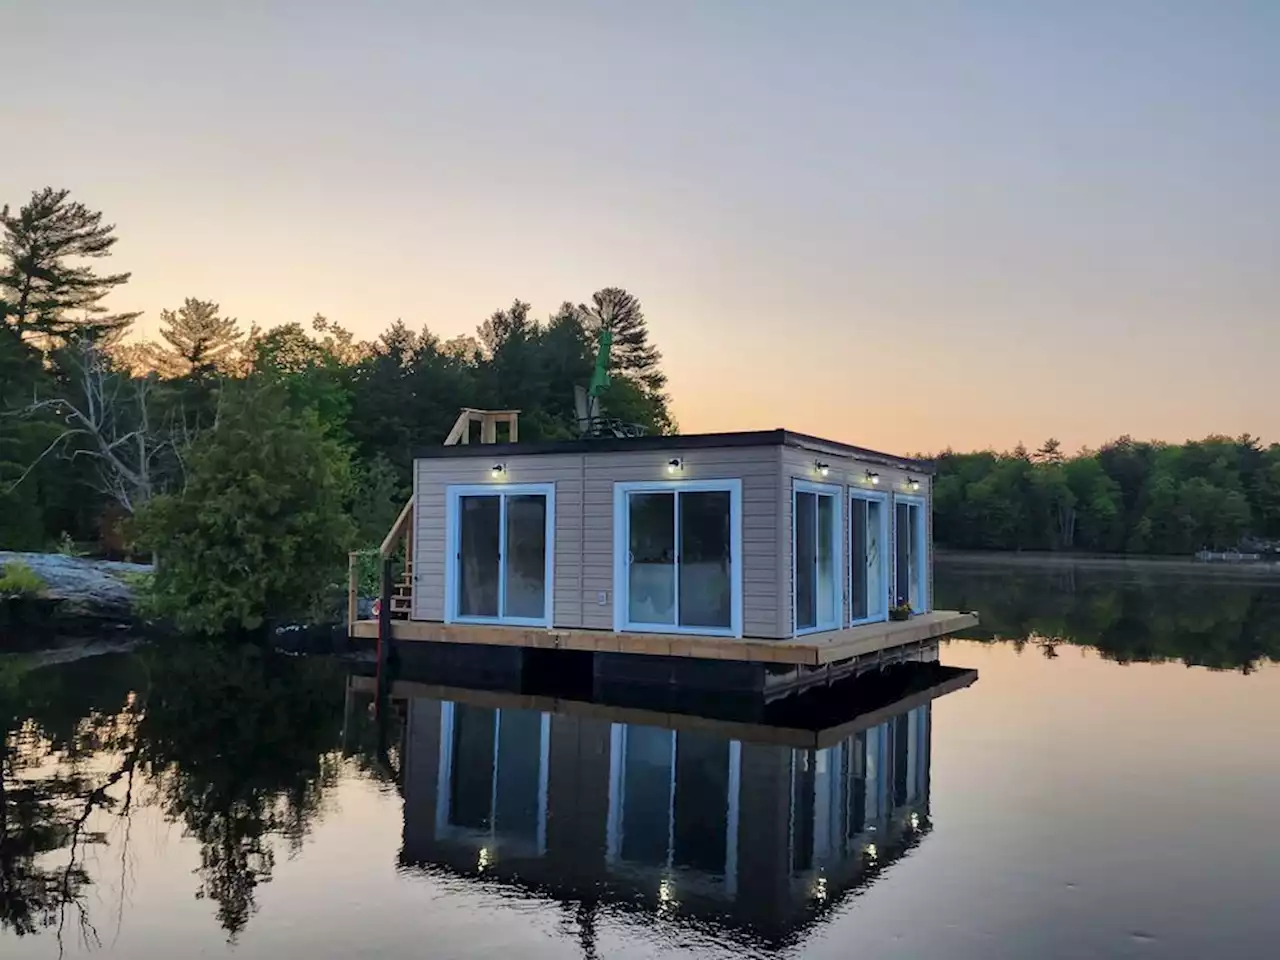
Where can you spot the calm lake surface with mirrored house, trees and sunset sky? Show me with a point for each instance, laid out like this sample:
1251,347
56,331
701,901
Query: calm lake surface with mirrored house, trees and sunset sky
1108,785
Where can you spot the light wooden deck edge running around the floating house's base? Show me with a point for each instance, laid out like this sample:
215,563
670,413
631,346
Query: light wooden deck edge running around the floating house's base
804,652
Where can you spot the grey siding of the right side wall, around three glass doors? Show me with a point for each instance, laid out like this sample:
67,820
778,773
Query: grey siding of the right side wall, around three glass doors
847,473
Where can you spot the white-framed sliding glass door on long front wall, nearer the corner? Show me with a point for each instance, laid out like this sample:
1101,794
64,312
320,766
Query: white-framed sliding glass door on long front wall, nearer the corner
678,564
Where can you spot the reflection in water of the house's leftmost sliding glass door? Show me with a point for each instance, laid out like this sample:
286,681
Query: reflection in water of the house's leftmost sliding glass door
492,783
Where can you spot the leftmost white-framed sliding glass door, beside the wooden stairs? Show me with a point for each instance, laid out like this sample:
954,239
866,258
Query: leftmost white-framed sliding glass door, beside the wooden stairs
501,554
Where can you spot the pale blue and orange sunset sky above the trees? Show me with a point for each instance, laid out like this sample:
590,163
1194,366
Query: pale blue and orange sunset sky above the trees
902,225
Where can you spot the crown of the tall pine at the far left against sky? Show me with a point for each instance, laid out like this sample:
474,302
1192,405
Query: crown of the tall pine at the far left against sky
48,294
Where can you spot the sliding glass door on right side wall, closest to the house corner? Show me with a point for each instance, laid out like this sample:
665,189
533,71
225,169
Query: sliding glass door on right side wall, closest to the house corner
816,557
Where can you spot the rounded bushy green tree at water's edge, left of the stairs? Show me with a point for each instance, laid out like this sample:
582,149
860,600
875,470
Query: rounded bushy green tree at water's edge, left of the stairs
260,529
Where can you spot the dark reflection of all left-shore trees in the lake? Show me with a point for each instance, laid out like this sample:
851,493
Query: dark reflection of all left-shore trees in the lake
237,744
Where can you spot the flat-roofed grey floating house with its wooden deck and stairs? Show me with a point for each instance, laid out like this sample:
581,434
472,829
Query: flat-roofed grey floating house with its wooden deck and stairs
752,561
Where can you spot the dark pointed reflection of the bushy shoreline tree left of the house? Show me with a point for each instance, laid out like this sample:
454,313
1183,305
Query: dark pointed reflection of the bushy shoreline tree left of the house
241,747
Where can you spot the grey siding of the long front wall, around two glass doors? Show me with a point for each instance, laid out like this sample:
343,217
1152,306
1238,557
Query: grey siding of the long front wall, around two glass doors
584,525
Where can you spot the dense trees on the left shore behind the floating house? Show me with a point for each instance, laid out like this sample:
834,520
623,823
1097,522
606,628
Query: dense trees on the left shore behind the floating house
222,442
